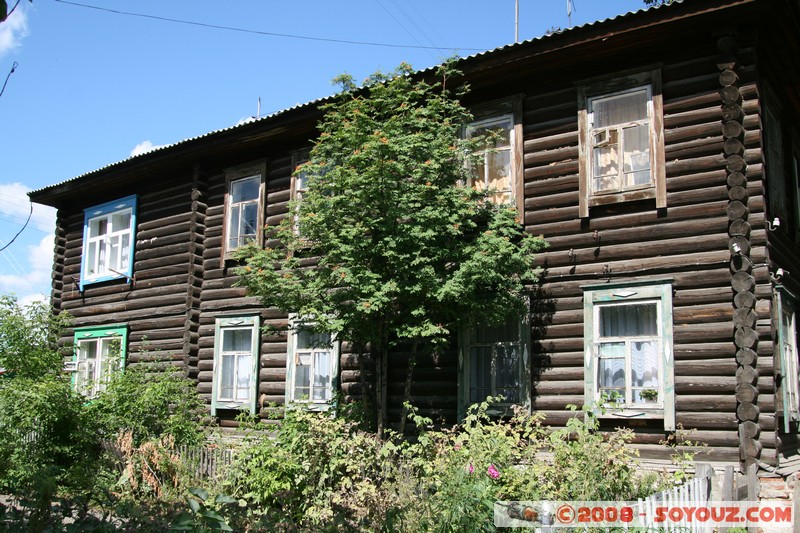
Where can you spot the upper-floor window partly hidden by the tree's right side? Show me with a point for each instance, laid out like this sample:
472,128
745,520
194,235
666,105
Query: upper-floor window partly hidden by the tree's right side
499,164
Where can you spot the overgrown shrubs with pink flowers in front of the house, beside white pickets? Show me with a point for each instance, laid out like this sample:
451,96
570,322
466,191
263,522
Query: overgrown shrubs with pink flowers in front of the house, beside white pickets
324,473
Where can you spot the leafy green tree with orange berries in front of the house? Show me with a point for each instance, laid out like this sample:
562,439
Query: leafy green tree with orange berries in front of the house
386,247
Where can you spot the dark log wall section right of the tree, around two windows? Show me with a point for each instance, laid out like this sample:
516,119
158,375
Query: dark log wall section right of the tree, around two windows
688,241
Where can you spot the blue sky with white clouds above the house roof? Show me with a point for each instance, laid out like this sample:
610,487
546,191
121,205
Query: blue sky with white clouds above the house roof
97,81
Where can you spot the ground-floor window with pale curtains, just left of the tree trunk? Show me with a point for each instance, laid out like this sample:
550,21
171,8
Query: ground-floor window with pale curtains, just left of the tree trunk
312,365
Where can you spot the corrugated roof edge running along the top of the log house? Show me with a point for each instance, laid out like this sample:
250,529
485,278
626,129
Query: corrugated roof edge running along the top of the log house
325,99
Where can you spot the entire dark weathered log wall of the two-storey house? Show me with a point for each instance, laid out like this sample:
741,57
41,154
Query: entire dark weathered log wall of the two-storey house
723,335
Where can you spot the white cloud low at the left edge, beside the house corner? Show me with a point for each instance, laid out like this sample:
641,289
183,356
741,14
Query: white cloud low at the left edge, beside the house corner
31,283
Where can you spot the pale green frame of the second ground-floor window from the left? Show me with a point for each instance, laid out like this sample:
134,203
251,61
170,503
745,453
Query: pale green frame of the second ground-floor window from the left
221,324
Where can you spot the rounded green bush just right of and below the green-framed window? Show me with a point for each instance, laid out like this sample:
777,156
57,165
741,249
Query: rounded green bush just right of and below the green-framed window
149,401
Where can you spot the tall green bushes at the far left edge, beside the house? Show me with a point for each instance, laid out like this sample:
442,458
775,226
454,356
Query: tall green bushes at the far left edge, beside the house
46,440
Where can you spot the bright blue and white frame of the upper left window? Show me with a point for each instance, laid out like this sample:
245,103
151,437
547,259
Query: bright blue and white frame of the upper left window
107,210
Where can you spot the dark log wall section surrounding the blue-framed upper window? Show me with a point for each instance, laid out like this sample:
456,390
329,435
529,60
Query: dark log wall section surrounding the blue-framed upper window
154,304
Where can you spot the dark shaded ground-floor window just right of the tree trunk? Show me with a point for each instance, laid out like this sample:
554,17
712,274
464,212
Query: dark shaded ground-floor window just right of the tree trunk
494,361
